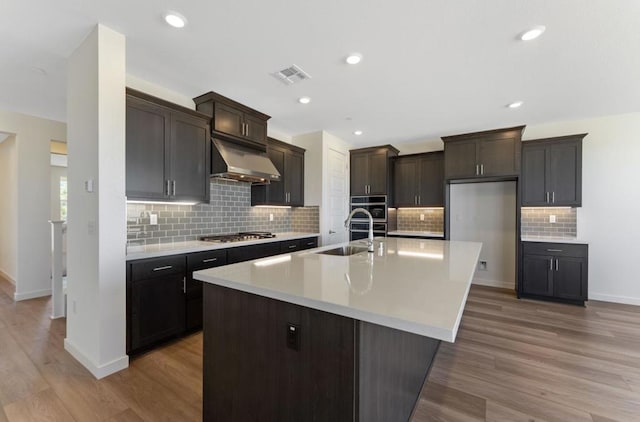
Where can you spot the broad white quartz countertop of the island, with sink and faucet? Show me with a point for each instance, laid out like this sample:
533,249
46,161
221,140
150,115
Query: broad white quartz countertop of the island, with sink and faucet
414,285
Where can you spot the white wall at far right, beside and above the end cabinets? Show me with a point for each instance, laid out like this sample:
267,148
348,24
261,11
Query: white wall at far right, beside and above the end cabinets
608,219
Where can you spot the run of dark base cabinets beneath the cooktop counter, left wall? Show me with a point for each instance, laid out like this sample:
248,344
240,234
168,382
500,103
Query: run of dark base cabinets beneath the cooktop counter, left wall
165,302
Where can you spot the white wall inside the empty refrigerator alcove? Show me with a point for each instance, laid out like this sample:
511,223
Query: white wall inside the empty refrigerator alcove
486,212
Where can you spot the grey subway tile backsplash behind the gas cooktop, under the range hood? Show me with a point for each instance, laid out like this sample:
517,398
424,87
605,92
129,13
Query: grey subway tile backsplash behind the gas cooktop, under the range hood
229,211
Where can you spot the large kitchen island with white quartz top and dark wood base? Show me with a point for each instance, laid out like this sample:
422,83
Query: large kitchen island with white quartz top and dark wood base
313,336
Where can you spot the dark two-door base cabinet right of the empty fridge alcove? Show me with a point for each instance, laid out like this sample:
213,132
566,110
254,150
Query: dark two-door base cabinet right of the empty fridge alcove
554,271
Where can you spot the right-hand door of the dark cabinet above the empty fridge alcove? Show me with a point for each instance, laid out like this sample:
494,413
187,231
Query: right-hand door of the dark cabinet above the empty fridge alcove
498,157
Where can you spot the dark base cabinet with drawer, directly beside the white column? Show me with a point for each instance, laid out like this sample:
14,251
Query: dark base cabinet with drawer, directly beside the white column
157,300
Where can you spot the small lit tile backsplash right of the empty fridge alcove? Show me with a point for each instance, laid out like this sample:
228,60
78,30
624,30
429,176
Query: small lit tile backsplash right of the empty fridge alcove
535,222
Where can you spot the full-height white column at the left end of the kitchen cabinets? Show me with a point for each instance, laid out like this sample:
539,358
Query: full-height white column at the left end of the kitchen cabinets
96,232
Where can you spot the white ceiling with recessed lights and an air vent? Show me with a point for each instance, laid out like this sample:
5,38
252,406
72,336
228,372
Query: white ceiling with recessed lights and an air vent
430,68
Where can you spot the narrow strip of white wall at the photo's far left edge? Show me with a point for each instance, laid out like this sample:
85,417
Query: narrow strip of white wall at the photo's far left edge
8,208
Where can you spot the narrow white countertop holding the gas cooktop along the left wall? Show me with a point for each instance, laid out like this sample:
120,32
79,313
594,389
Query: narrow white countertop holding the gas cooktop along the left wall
175,248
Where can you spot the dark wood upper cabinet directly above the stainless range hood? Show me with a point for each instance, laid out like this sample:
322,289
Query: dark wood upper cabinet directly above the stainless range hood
233,120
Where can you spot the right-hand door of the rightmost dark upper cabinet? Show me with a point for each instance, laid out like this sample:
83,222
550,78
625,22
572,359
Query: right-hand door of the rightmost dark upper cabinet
566,174
